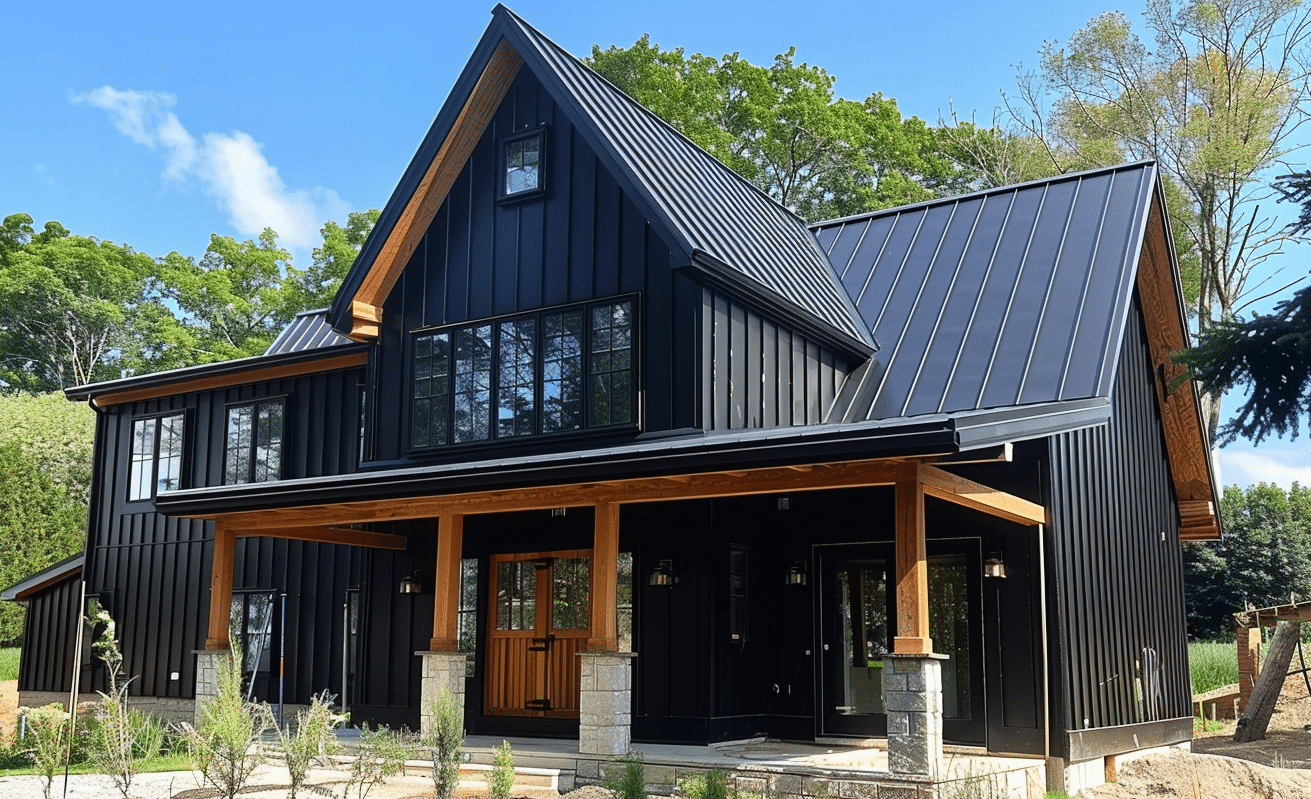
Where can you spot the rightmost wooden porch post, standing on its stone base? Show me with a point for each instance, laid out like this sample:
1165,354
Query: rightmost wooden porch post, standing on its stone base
912,567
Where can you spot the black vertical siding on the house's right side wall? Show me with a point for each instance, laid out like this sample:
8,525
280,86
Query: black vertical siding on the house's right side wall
1116,570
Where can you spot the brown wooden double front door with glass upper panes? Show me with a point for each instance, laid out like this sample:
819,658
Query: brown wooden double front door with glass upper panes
539,621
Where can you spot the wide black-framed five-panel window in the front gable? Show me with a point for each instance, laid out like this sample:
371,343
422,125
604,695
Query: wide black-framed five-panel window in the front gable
551,372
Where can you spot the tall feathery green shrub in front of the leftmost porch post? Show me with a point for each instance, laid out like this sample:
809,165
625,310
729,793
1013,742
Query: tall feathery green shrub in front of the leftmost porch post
224,743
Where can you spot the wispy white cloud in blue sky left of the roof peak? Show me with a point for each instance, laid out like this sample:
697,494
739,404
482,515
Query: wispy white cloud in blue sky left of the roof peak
229,166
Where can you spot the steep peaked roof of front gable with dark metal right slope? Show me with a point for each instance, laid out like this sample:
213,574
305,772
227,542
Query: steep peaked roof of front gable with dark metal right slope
718,224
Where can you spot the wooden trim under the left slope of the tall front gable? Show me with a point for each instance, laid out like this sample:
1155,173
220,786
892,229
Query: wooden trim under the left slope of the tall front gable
428,199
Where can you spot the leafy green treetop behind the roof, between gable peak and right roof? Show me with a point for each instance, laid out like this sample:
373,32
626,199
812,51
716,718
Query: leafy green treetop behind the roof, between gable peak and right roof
782,128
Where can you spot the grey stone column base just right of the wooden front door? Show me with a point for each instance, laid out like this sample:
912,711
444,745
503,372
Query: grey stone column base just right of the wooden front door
606,704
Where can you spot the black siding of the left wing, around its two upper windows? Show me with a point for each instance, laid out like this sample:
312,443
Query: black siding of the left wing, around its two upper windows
153,573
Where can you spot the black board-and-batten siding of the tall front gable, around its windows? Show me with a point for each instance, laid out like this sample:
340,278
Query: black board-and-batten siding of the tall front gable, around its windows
583,239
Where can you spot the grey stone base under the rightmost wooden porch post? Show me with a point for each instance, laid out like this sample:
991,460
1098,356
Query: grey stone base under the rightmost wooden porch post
913,697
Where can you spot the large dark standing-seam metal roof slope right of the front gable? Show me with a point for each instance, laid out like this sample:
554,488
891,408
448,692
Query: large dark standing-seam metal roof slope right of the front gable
1002,298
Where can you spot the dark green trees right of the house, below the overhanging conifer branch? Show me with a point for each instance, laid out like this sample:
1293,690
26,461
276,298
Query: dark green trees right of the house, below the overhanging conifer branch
1264,560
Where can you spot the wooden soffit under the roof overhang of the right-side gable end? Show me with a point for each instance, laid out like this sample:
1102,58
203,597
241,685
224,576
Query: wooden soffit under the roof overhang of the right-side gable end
1177,399
